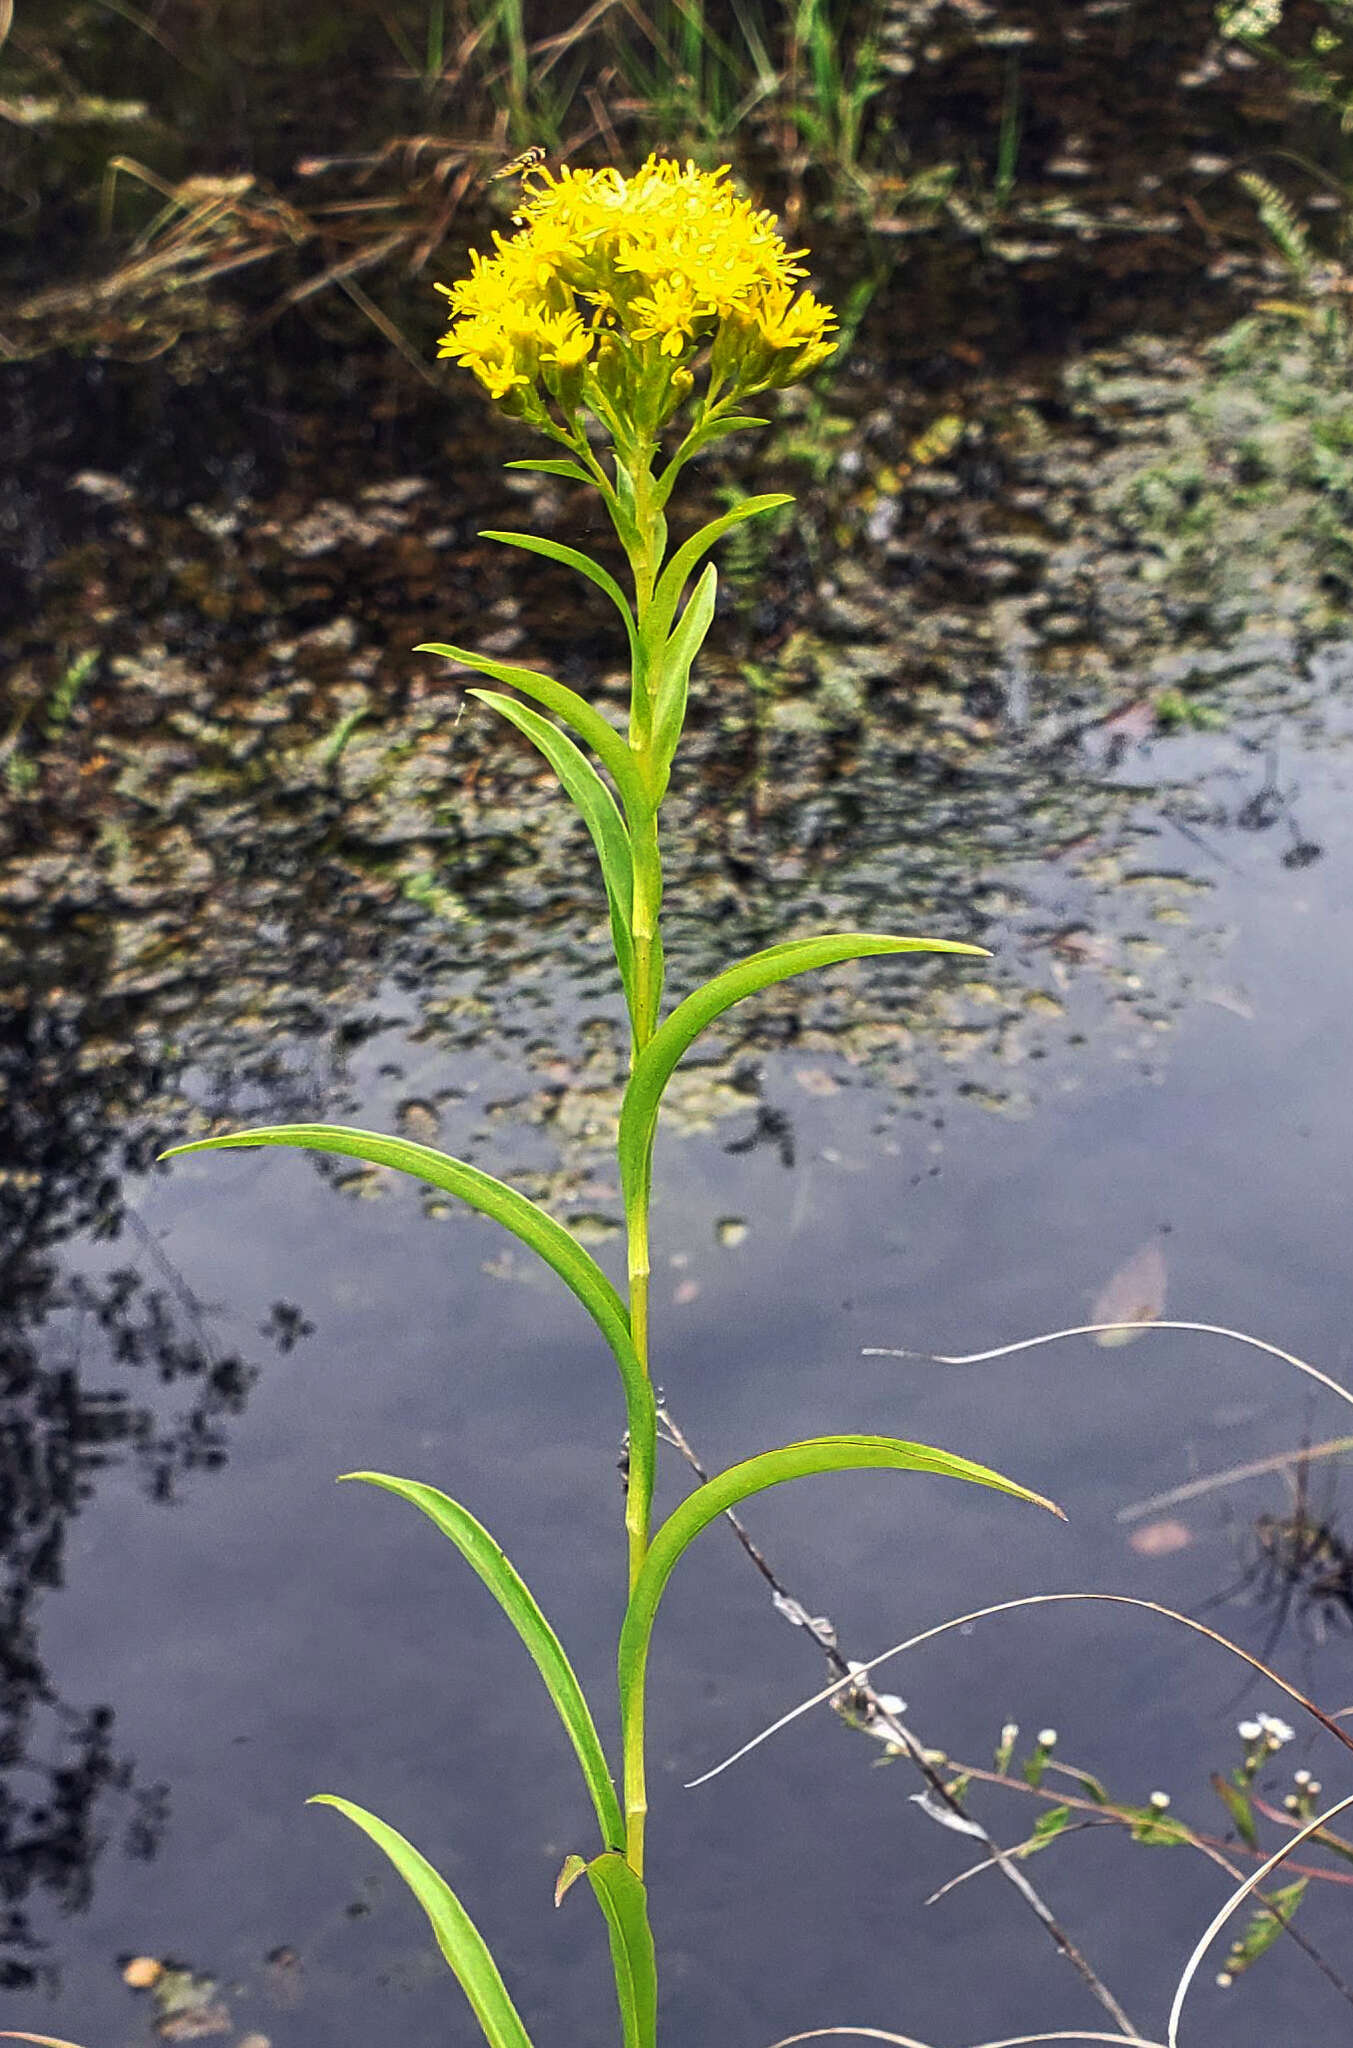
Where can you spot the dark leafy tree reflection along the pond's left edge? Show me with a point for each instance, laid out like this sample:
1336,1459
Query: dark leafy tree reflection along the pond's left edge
77,1349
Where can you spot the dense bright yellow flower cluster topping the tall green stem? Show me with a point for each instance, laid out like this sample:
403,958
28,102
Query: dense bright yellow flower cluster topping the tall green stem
613,288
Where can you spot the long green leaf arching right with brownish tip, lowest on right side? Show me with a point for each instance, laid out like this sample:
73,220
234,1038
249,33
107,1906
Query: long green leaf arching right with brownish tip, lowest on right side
740,1482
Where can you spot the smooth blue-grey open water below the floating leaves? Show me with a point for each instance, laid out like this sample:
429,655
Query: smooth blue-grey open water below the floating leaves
263,1635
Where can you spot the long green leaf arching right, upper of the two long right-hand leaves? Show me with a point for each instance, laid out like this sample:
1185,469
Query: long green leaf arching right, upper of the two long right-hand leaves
691,1017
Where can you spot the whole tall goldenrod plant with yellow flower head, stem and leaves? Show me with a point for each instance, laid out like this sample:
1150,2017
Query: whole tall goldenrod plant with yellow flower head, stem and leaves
629,321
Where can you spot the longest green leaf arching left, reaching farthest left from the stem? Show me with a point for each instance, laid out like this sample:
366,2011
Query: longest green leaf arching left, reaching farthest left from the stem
490,1197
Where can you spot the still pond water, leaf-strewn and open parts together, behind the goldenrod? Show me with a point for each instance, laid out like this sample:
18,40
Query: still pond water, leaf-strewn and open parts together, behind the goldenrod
273,873
